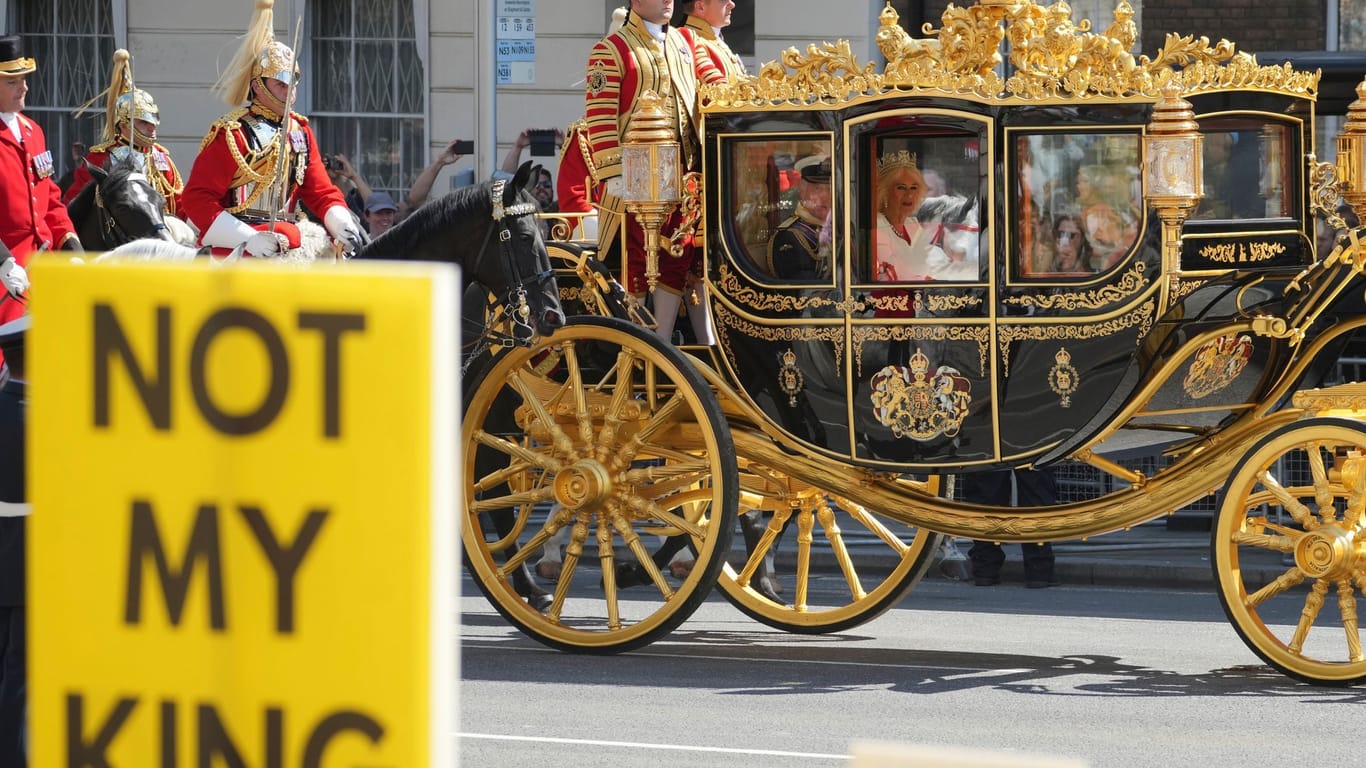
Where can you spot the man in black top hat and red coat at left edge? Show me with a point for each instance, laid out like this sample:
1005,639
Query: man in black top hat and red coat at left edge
32,217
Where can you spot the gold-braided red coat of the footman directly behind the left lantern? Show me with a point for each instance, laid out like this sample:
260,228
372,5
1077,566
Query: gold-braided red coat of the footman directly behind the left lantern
622,68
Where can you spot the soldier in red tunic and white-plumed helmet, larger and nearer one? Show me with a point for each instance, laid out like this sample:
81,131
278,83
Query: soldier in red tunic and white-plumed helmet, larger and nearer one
262,161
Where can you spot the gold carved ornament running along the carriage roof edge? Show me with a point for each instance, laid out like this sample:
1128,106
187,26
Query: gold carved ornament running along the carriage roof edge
1054,57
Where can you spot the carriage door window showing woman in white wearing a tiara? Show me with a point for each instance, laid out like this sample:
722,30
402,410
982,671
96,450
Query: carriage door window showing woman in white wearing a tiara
921,222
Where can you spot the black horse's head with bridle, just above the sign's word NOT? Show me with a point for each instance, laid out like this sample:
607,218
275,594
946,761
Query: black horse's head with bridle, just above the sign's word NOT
118,207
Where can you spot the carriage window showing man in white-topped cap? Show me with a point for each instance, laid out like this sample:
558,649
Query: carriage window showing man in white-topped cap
779,200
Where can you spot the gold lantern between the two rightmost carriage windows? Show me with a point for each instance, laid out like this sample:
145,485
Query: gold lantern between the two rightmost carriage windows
1174,174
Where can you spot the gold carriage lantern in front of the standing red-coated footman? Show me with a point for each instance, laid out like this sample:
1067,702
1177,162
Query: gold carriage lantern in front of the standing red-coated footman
651,176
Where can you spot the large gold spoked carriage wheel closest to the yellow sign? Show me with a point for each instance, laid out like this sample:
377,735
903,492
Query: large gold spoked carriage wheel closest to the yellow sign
614,437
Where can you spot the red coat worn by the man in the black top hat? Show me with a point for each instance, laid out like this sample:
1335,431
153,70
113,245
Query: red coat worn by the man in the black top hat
31,202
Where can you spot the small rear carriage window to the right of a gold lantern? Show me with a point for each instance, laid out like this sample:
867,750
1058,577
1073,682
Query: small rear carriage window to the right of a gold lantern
1245,170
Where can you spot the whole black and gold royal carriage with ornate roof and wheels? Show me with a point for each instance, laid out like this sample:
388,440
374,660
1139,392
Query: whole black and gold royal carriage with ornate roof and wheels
1195,319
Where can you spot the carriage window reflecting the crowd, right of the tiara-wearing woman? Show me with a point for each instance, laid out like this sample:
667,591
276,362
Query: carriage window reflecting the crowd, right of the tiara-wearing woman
1078,203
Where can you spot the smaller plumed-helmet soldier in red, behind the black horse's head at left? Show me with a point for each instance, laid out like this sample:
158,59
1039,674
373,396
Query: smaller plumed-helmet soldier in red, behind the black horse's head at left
132,120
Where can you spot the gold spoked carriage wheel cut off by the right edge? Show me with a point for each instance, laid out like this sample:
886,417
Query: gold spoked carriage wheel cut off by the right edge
1300,494
